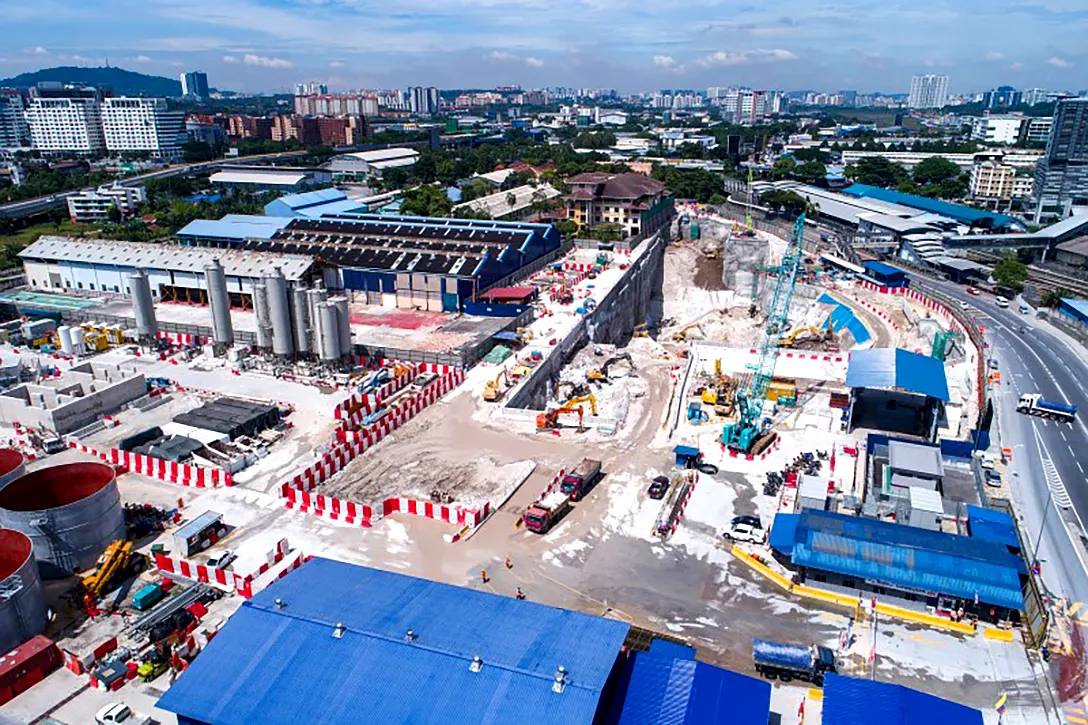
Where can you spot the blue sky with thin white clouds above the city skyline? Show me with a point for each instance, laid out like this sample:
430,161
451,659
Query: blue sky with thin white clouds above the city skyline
269,45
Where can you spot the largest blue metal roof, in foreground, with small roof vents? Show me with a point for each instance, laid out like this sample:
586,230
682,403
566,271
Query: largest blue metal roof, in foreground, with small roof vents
285,667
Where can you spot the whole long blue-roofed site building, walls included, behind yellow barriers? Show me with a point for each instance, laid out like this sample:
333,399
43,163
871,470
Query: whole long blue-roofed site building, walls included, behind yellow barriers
914,566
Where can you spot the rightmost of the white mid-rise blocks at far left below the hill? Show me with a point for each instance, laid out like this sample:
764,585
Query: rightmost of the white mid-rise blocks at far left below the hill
143,125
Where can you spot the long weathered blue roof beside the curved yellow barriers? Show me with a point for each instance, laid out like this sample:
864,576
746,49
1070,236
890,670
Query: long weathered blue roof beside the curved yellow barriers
908,558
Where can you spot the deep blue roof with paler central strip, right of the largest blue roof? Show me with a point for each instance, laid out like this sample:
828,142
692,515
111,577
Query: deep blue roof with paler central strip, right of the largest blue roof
664,691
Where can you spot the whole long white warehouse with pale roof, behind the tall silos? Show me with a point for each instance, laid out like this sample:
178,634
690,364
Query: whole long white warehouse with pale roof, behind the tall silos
177,273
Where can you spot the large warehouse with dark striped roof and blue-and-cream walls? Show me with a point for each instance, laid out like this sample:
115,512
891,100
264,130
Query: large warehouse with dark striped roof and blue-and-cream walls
413,262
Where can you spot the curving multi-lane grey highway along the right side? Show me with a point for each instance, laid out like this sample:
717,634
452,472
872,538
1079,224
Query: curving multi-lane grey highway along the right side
1048,458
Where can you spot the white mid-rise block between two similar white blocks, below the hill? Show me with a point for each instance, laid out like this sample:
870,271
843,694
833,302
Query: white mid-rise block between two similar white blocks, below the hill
66,119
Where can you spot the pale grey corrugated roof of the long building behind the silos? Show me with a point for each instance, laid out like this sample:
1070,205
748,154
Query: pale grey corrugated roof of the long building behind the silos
146,255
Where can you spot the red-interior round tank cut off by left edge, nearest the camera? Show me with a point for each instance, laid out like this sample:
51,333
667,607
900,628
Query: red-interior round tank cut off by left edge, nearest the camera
23,611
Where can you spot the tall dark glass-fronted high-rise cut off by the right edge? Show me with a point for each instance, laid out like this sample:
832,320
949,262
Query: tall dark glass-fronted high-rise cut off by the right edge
1061,177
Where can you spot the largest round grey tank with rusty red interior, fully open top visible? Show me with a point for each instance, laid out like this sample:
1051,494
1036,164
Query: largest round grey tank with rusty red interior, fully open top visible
71,512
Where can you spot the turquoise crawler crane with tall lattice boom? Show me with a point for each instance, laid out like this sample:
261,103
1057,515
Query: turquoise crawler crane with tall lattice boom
740,436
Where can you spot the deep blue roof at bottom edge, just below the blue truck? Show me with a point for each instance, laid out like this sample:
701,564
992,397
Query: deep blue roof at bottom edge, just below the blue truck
851,702
